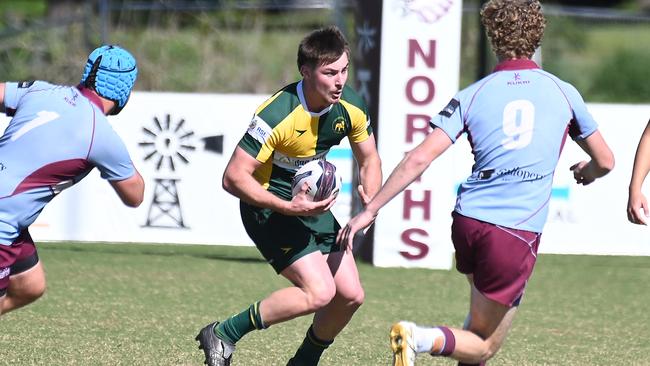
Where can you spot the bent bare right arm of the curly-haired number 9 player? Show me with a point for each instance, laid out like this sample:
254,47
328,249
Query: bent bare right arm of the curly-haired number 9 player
601,163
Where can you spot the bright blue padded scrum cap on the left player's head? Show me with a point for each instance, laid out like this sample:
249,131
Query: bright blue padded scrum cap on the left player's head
111,71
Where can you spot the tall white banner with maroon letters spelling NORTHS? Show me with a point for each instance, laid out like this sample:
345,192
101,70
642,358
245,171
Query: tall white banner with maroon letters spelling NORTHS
419,74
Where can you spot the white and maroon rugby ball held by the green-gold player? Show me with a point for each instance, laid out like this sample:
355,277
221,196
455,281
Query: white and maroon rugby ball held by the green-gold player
321,178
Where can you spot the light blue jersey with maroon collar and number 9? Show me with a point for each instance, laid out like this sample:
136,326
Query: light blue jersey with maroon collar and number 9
516,120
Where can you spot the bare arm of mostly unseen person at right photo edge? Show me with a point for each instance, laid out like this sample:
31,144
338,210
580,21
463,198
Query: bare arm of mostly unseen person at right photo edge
636,200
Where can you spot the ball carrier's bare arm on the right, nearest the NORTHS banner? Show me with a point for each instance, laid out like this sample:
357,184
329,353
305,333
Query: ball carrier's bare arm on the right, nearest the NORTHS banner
369,168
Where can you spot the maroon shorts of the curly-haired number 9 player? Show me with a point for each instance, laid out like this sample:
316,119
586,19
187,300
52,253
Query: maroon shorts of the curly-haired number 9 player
500,259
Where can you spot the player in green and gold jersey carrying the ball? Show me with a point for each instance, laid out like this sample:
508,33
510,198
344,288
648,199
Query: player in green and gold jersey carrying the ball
299,123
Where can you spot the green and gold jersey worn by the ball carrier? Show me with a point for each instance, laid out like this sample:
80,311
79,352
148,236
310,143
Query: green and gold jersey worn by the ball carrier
284,134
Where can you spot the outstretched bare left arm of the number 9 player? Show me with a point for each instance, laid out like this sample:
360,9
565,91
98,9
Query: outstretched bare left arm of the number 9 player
409,169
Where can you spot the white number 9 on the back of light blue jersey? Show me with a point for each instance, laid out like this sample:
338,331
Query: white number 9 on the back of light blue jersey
518,122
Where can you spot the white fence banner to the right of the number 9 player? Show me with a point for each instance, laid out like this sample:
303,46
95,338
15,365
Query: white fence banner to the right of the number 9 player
593,219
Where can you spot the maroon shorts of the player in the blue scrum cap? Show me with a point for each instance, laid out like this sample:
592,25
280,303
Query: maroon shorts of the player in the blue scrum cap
18,257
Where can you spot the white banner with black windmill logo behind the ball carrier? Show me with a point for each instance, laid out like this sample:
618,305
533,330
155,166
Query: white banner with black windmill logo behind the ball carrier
181,144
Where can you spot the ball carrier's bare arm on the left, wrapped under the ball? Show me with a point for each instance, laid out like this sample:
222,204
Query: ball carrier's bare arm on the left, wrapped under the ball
238,180
